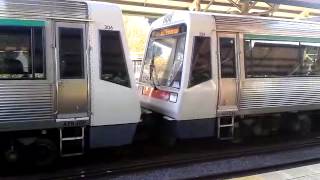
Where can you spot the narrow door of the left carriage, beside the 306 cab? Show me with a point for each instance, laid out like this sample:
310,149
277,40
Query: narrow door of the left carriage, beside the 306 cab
72,88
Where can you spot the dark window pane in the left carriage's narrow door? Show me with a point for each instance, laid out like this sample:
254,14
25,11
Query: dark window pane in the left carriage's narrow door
71,53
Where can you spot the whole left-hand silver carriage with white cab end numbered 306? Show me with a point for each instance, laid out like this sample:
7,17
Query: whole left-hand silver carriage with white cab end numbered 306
66,81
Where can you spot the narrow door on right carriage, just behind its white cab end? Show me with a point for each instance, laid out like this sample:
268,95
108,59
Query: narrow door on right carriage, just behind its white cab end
228,73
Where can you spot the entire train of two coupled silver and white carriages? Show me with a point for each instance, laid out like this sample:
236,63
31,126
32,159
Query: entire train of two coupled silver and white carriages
67,83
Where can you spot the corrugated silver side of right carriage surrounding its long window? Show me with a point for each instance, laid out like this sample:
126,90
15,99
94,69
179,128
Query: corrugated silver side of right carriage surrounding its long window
280,93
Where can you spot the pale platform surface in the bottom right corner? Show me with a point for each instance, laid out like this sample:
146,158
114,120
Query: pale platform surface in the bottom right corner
307,172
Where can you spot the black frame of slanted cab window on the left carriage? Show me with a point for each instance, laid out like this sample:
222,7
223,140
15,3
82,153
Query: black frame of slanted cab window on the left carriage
123,57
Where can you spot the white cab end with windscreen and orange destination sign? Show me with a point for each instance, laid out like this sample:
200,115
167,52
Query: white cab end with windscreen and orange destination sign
166,87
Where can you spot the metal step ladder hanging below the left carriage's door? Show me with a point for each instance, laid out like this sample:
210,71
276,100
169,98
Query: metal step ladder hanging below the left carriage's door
71,141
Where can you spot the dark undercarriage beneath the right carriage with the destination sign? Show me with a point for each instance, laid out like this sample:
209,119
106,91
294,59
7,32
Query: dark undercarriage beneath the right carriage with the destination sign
237,128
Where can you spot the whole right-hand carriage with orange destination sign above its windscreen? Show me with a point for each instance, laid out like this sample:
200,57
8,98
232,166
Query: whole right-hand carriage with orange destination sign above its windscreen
205,74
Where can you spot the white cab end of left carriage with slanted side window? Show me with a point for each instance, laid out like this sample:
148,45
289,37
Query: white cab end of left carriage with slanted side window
114,103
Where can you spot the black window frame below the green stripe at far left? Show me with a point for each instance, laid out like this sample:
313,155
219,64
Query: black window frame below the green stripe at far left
32,51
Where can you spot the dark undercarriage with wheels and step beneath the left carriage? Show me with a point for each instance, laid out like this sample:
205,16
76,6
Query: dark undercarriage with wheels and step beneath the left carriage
42,147
